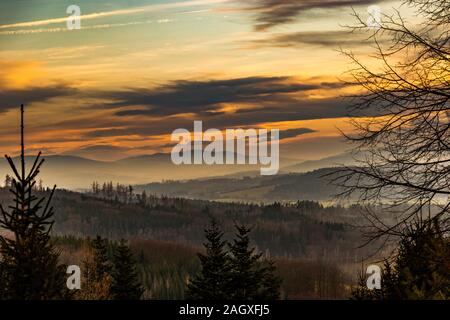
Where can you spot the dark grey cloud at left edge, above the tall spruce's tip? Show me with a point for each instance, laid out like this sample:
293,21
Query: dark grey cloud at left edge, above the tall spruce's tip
11,98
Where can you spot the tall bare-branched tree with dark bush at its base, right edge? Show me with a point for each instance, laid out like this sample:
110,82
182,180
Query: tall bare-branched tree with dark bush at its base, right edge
402,138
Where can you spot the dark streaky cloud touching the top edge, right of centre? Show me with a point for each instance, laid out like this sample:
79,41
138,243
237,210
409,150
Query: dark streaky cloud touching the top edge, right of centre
270,13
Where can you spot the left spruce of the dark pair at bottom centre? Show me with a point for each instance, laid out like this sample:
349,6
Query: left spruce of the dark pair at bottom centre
213,282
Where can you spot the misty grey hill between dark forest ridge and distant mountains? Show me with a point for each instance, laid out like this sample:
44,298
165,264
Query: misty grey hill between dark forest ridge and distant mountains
314,185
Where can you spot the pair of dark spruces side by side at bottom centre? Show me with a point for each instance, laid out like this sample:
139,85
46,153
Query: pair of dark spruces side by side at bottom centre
233,271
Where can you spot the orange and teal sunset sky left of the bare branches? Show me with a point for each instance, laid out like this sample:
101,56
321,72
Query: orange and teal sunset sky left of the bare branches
139,69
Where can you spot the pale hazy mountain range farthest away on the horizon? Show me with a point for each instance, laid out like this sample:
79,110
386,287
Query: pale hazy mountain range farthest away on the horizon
72,172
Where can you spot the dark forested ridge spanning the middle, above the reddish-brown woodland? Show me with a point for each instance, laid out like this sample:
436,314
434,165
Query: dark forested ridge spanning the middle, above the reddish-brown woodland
298,230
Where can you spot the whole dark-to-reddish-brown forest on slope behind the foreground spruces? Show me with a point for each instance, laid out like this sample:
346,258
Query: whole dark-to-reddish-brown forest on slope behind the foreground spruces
315,255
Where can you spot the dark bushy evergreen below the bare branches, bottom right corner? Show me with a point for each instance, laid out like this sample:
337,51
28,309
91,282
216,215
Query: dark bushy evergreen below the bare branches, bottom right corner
420,270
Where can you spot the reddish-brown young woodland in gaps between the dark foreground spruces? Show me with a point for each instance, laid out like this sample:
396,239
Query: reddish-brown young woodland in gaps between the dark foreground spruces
166,268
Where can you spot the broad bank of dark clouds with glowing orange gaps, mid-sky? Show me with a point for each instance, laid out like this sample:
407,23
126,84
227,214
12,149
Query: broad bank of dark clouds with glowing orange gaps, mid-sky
228,103
